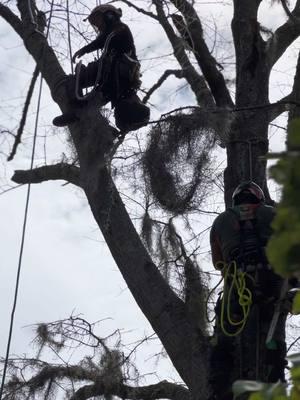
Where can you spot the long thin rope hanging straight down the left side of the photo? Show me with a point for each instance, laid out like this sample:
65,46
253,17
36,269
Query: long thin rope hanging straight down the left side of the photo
16,291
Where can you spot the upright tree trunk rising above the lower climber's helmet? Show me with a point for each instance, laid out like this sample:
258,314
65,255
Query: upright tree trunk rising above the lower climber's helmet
248,143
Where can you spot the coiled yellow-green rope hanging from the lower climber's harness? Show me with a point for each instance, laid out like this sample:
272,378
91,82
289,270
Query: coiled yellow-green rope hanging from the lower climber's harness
234,284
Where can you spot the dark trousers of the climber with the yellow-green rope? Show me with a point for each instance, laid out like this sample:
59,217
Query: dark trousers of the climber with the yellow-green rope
246,356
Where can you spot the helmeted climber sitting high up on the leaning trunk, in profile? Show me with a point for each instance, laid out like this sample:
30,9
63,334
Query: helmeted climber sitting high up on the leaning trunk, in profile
116,73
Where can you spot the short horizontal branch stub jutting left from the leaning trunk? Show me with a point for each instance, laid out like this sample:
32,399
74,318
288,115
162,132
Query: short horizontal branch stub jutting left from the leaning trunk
61,171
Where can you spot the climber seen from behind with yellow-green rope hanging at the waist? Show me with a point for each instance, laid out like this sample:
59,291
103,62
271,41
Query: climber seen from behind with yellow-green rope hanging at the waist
251,289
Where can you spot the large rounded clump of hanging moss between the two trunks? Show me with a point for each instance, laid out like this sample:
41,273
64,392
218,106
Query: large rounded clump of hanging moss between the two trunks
177,162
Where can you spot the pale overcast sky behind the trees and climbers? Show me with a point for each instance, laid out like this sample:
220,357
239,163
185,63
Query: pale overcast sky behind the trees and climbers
67,267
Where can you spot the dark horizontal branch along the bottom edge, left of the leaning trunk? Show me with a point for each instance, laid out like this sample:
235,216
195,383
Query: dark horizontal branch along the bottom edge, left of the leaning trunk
161,390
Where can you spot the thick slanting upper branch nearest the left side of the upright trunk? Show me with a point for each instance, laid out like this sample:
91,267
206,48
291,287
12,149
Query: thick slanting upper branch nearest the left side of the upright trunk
206,61
